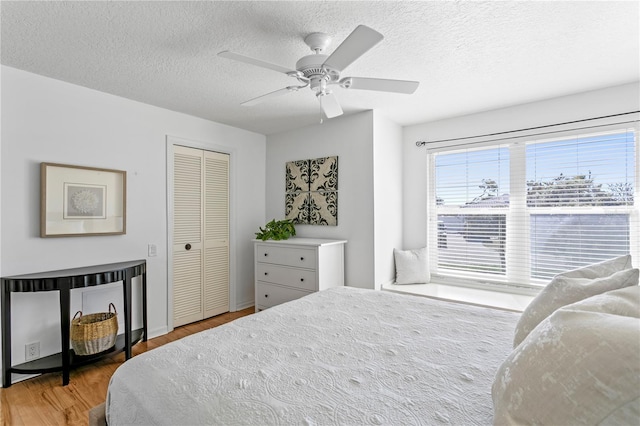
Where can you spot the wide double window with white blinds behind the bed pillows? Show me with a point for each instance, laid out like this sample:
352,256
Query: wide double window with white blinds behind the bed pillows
521,212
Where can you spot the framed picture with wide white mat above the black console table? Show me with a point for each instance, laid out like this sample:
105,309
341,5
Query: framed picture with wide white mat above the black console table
81,201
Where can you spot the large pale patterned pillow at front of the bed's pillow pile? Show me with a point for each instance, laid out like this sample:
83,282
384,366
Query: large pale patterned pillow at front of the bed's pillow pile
581,365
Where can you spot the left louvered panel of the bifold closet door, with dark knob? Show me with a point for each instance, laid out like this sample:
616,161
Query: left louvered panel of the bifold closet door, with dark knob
187,235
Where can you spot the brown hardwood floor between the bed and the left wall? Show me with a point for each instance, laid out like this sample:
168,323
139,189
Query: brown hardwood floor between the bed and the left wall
44,401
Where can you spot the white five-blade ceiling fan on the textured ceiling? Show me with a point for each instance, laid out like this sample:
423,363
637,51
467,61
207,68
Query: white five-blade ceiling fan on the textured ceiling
319,71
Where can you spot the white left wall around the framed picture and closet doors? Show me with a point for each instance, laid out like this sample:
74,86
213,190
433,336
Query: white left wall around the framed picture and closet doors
45,120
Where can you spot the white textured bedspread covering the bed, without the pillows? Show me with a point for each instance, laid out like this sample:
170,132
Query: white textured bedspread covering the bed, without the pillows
340,356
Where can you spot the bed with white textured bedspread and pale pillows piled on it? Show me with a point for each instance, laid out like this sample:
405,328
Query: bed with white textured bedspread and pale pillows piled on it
349,356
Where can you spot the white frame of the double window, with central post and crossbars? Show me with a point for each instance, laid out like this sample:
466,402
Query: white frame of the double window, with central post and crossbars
517,277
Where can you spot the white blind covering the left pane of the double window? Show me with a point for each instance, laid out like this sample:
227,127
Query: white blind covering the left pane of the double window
471,209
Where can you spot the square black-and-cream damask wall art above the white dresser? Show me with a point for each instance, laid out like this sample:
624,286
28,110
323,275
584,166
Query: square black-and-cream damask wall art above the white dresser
312,191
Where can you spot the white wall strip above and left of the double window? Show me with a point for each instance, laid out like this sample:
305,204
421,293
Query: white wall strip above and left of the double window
597,103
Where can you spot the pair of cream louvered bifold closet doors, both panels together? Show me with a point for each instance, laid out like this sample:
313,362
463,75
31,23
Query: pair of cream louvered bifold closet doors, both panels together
200,234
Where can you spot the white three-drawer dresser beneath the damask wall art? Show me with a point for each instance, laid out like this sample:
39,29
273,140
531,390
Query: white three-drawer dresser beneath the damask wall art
289,269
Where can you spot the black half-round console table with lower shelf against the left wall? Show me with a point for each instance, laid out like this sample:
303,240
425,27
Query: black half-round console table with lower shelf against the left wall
64,281
